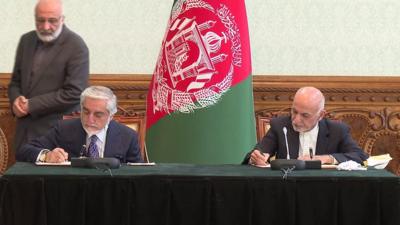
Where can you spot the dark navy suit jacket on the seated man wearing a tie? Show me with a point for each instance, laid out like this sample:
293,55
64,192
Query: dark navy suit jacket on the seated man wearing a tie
121,142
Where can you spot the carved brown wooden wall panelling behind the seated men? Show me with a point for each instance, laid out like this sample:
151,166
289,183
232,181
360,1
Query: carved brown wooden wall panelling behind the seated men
375,100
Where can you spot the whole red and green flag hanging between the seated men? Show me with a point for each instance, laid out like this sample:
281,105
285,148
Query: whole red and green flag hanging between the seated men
200,100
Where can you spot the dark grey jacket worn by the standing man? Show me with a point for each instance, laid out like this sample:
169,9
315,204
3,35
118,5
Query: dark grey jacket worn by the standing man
55,88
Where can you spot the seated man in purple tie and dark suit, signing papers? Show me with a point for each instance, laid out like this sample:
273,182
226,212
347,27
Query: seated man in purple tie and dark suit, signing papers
95,129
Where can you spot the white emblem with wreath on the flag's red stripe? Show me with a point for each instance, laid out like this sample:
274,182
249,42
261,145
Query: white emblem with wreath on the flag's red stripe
198,58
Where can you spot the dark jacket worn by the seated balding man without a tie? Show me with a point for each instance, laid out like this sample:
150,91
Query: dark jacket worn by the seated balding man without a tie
333,138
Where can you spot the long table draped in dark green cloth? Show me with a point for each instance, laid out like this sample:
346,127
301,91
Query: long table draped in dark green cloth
197,194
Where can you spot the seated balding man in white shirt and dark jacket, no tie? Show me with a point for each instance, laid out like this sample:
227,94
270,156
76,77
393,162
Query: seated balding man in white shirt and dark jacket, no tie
306,135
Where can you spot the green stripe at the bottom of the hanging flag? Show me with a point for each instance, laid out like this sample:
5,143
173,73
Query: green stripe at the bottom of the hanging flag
222,133
